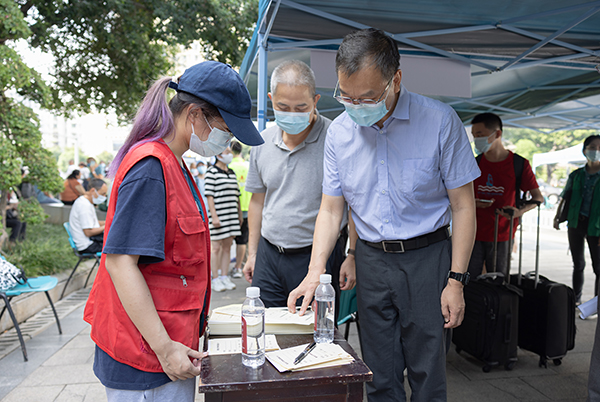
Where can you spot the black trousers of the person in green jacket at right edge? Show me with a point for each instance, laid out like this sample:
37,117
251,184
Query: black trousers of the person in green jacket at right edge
577,238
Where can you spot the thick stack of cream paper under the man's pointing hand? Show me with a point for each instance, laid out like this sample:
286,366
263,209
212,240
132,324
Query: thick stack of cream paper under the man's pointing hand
227,320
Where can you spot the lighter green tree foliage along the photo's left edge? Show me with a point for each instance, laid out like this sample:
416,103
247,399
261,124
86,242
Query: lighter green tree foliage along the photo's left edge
20,137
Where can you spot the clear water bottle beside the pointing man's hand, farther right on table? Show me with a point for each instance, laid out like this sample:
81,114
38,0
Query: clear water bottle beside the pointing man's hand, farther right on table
323,307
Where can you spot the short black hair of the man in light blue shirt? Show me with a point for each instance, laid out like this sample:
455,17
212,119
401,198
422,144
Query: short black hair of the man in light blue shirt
366,47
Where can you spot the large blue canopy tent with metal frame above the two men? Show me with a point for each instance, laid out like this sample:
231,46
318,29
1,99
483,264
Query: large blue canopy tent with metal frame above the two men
534,63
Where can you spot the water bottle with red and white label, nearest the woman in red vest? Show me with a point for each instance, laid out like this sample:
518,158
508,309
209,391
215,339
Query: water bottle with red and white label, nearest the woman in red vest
253,329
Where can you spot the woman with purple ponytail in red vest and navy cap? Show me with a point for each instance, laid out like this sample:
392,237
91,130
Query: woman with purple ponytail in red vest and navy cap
150,299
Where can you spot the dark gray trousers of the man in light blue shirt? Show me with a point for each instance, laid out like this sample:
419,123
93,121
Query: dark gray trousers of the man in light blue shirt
401,322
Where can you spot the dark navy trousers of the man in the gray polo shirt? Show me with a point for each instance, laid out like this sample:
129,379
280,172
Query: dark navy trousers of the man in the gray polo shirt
278,274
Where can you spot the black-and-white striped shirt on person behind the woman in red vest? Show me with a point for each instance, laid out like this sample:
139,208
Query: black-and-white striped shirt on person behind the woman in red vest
223,187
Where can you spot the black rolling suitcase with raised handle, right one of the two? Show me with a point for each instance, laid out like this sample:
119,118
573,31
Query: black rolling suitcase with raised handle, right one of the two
546,313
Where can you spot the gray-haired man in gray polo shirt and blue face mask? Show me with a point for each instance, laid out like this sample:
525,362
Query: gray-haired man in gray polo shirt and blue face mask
285,180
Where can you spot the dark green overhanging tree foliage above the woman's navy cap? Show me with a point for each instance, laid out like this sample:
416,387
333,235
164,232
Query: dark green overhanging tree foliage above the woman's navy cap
107,52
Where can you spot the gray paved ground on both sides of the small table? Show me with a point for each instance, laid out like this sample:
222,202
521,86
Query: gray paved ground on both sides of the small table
60,366
